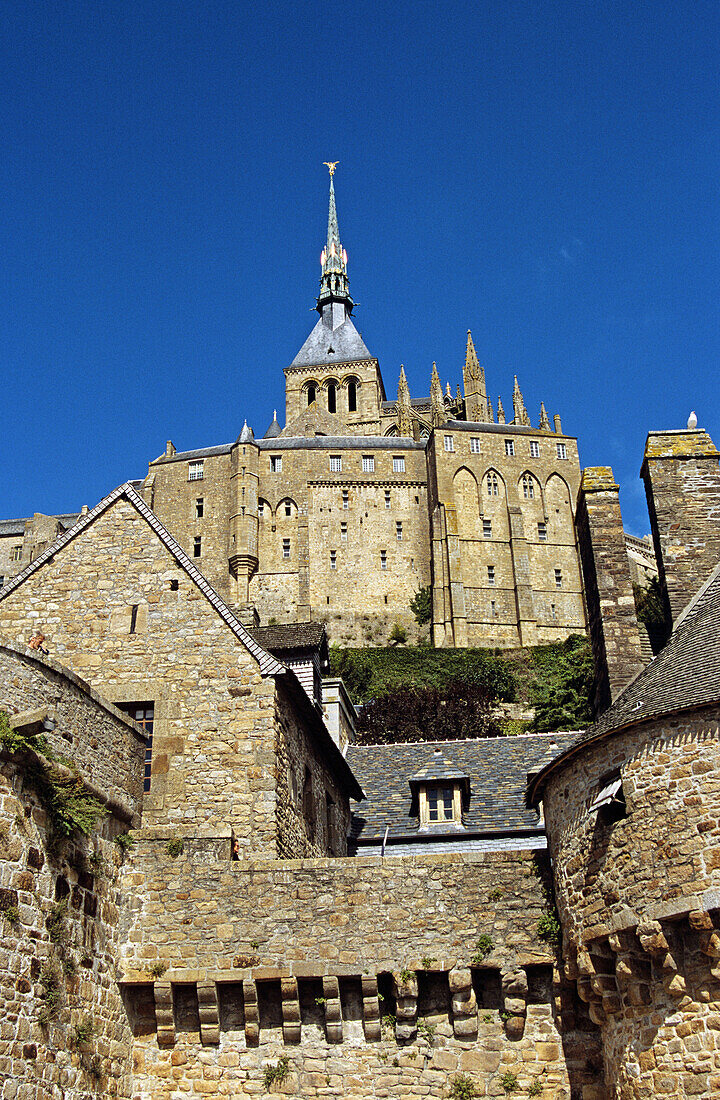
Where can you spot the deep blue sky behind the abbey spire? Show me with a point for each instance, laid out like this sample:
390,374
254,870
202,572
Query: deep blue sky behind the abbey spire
542,173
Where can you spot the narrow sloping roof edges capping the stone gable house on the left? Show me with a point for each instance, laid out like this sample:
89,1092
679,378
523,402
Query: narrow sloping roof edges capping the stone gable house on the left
269,665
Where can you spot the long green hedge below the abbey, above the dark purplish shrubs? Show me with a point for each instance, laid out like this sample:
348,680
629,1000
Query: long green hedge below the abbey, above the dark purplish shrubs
370,674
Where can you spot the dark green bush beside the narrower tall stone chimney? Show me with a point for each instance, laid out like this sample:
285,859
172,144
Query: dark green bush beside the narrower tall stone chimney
563,685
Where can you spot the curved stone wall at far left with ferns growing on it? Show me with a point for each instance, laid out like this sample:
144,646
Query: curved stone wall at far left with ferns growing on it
64,1029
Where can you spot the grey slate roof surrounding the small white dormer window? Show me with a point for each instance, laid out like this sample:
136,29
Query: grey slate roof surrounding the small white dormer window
497,769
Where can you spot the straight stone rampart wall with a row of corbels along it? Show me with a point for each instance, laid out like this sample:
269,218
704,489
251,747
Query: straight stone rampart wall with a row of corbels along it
302,961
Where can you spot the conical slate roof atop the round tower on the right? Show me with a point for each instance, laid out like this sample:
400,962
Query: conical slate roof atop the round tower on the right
685,675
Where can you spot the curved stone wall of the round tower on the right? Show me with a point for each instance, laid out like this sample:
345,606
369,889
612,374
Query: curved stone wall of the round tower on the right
639,900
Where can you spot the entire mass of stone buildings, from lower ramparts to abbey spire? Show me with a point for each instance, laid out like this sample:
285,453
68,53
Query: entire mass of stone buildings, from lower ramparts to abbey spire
211,887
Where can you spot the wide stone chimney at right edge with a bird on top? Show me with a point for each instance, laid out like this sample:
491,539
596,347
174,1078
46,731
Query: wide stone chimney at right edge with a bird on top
682,478
